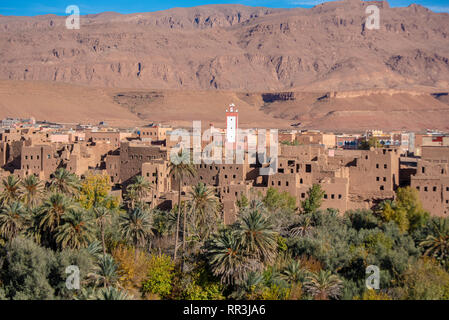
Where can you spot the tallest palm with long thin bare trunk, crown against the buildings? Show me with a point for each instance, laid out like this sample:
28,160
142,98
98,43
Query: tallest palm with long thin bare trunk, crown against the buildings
180,168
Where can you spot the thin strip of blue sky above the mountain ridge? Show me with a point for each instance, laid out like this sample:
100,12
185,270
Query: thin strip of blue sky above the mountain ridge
32,8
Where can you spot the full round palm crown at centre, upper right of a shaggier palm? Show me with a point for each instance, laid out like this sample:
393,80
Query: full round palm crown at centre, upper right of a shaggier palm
257,237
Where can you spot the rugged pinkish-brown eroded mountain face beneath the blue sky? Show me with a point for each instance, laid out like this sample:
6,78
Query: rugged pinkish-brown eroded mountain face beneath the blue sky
233,47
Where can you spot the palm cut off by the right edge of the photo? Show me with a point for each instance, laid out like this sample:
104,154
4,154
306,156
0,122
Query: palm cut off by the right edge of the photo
437,244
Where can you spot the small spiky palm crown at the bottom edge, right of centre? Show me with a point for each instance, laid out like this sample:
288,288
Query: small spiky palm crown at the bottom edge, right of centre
323,285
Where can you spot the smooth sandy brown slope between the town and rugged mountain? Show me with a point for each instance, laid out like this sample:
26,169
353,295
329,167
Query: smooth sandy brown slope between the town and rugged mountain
335,111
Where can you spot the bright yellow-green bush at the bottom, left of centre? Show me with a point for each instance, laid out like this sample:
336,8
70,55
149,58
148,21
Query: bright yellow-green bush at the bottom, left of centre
160,276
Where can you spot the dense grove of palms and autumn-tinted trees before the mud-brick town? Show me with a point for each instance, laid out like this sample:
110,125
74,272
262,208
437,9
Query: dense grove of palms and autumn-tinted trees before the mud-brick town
275,250
